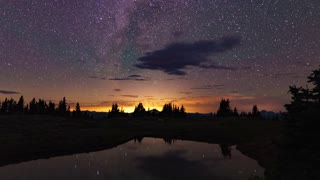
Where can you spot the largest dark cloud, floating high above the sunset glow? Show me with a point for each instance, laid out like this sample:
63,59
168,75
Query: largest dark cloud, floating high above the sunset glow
174,58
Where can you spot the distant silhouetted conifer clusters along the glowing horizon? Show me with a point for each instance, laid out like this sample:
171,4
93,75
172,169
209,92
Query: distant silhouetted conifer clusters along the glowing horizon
41,106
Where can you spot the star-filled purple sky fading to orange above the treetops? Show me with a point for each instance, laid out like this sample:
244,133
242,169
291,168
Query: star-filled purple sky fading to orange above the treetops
190,52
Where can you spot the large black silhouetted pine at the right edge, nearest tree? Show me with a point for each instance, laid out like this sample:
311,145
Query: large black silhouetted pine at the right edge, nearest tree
300,150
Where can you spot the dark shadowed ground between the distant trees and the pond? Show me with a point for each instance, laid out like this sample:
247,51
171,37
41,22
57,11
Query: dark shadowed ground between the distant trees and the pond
30,137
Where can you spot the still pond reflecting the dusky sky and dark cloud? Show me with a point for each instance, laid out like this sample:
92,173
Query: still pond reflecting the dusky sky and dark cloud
147,158
